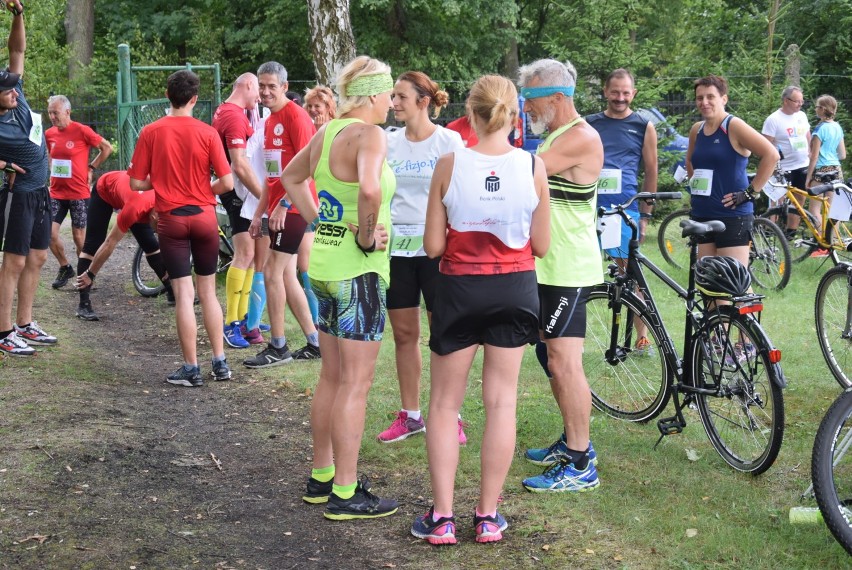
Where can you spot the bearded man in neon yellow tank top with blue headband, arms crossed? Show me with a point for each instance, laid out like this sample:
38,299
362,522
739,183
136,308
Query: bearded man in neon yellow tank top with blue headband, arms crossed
573,156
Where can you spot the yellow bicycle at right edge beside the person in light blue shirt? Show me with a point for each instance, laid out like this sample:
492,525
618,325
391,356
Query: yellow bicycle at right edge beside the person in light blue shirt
830,234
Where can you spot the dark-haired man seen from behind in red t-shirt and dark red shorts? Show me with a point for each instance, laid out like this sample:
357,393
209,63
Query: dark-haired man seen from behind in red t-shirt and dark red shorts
184,150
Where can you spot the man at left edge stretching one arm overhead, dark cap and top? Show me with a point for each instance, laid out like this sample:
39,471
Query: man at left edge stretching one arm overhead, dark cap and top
24,201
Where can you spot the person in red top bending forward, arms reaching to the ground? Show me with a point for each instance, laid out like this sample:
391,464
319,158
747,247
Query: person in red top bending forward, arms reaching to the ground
113,192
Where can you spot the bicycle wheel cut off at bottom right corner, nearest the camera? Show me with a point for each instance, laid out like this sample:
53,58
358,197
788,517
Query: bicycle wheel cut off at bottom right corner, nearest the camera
831,470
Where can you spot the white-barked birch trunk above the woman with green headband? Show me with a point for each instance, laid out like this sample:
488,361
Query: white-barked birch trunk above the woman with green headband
332,41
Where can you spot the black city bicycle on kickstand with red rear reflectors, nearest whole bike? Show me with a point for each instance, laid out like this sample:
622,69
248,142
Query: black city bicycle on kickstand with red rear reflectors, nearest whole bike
729,370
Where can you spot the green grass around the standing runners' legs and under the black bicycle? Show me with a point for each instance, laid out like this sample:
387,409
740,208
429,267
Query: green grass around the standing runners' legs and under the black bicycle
678,505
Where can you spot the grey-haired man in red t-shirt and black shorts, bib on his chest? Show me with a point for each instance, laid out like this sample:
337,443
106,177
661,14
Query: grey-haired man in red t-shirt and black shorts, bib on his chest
68,144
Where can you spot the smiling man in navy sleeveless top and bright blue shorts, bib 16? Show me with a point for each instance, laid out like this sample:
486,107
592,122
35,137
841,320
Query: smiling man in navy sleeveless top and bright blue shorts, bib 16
630,141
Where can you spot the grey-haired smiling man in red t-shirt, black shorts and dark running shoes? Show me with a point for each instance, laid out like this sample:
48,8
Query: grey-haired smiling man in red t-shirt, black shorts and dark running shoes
287,130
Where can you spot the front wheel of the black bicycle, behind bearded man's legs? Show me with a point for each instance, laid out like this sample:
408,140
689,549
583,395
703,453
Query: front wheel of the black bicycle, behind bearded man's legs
626,383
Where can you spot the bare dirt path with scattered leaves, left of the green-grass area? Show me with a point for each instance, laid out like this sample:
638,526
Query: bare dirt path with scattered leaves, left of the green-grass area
102,465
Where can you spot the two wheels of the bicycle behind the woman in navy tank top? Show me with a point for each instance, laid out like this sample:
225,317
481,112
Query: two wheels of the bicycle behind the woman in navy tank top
769,254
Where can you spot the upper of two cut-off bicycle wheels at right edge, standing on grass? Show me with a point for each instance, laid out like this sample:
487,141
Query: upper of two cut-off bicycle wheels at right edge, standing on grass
833,316
